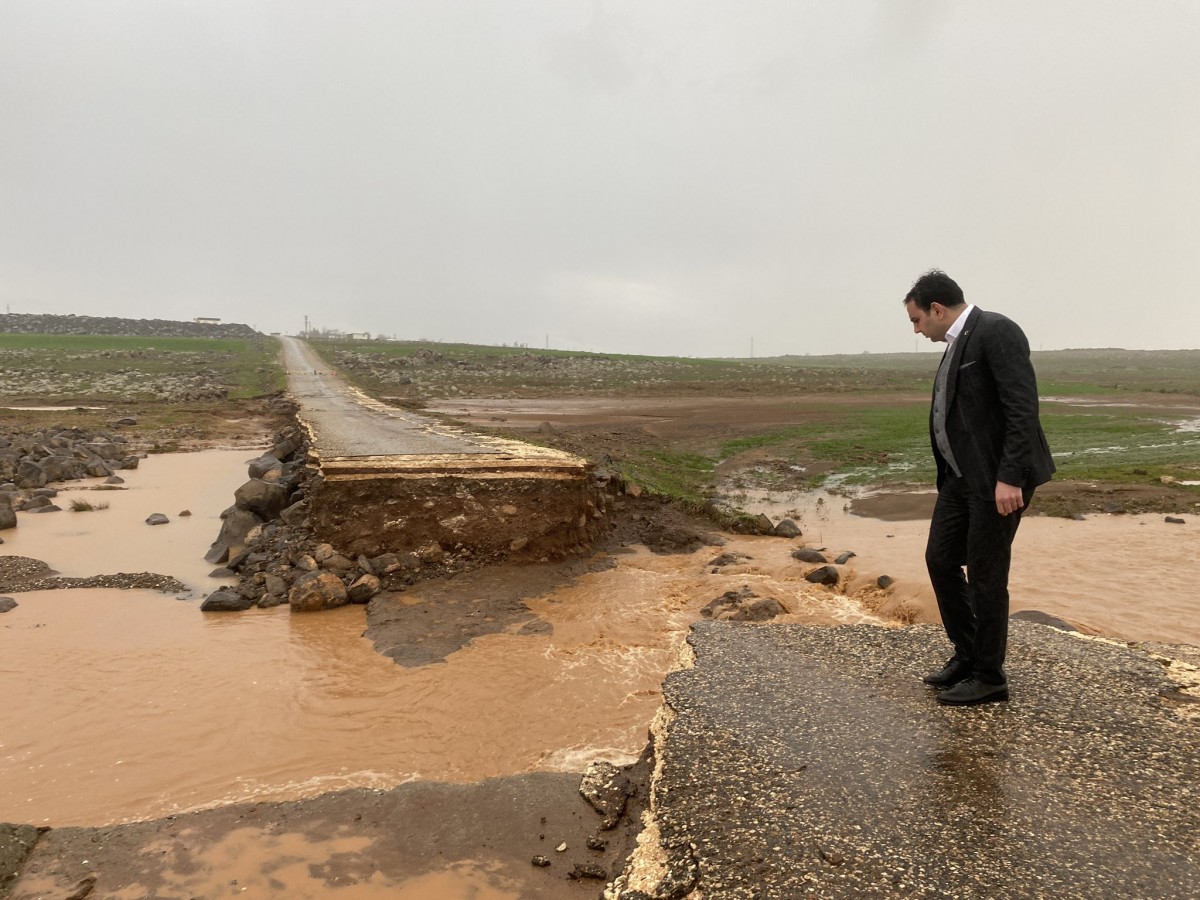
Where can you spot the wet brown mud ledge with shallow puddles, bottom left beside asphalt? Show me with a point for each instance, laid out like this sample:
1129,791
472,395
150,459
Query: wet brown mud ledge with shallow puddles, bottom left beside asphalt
419,842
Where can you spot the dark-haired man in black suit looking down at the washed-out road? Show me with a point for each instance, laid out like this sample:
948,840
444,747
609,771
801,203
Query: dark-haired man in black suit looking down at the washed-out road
992,453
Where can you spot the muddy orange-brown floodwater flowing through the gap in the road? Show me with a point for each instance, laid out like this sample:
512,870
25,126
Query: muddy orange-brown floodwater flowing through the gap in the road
127,706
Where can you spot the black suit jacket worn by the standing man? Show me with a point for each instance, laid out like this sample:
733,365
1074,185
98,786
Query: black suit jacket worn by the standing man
992,409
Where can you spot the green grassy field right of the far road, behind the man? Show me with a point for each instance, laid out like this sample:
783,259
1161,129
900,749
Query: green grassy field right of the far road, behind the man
1107,413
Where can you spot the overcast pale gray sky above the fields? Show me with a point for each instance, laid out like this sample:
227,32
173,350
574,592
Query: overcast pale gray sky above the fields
679,178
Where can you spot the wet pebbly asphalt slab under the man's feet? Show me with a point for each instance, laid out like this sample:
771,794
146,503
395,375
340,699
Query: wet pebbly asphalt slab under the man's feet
812,761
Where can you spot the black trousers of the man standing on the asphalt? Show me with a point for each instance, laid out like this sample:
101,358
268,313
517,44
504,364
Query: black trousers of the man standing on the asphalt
967,531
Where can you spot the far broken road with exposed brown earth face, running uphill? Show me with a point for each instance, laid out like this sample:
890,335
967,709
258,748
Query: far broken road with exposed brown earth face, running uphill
395,482
